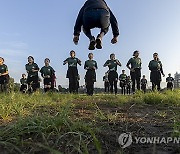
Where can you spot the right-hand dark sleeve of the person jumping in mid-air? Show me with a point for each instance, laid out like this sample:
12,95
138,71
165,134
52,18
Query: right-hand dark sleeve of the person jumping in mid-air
114,24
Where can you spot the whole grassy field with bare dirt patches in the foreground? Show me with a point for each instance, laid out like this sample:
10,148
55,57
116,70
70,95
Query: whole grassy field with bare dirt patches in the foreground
63,123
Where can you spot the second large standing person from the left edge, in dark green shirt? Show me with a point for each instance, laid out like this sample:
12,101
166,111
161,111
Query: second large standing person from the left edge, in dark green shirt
32,70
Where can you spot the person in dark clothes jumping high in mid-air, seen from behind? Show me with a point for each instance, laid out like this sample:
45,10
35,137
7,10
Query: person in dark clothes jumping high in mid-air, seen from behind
95,13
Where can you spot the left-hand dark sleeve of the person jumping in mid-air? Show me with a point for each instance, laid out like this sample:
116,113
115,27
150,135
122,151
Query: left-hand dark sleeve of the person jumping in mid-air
79,22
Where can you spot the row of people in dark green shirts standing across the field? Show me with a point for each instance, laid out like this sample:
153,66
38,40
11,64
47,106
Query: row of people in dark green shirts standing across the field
128,84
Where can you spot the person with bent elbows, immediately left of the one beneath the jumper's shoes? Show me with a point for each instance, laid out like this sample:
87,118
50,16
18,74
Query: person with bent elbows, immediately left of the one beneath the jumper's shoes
72,72
